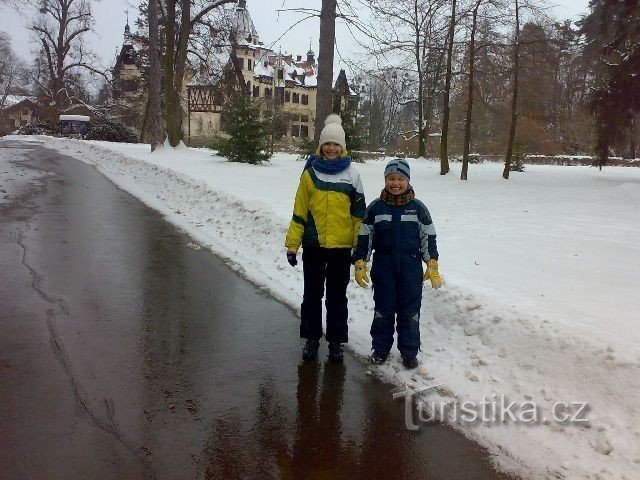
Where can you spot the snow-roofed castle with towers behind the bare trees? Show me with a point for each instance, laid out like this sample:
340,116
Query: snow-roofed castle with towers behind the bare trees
280,82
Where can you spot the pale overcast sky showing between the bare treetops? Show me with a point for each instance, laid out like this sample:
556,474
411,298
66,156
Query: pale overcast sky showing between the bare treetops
110,20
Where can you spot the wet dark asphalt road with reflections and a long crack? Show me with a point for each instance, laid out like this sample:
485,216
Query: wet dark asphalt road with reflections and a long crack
125,354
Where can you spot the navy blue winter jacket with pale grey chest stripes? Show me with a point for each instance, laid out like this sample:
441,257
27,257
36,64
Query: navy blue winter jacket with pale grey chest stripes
397,230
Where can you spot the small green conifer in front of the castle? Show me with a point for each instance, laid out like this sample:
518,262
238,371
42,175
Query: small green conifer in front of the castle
248,132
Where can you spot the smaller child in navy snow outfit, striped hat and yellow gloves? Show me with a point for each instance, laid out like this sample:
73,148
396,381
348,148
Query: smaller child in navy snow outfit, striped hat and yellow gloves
398,228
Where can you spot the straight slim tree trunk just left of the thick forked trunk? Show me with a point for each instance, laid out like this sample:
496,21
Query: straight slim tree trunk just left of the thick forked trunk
154,112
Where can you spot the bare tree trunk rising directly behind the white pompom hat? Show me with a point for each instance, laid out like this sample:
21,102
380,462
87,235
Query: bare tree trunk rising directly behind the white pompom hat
325,64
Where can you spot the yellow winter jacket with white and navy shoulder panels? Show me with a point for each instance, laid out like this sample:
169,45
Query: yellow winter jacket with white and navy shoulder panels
328,210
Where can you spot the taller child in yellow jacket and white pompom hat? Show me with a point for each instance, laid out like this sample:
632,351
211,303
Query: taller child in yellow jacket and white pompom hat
328,209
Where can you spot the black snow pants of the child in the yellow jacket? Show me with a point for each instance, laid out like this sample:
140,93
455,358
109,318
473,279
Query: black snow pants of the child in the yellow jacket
331,266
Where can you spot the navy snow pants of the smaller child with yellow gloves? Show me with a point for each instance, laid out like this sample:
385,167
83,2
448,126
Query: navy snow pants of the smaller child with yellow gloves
397,293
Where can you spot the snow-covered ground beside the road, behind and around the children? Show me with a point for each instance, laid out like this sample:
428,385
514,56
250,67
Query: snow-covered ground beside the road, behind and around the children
539,308
